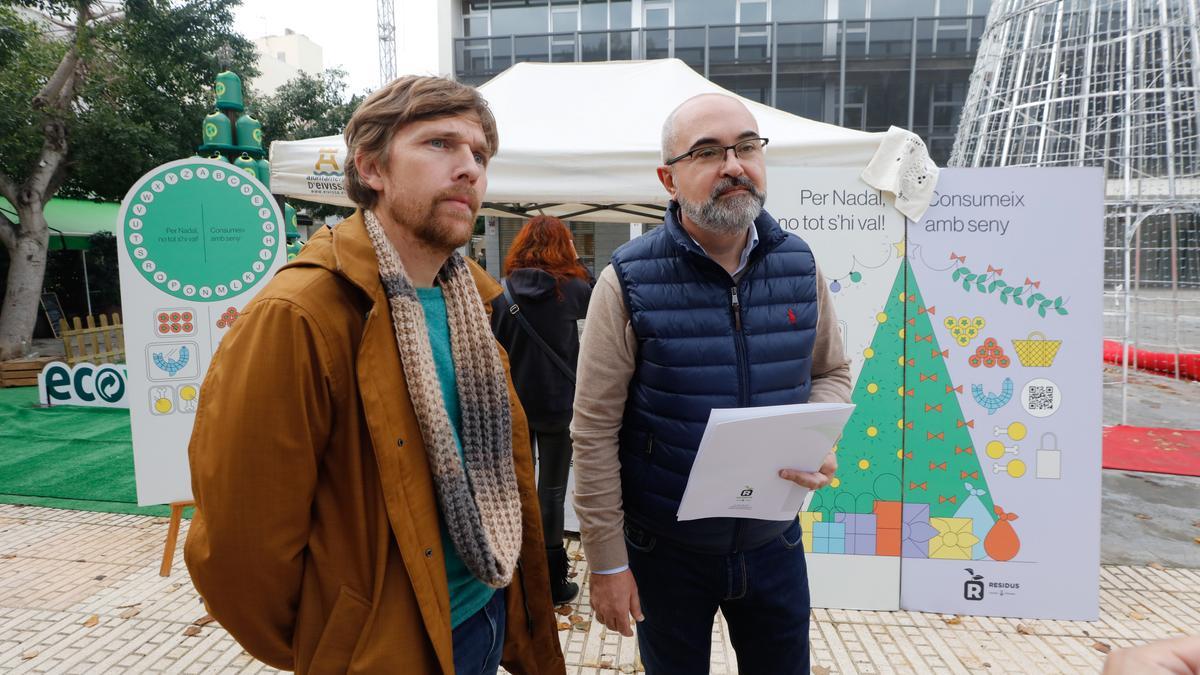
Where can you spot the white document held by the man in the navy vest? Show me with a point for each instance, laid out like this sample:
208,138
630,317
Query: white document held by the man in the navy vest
736,474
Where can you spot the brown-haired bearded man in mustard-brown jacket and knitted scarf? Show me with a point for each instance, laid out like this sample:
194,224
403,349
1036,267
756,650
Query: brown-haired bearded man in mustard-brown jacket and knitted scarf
361,463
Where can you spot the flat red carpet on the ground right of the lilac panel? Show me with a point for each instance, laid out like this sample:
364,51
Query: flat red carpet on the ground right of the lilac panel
1157,451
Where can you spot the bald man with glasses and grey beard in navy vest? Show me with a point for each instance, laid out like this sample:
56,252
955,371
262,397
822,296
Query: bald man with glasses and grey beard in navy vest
718,308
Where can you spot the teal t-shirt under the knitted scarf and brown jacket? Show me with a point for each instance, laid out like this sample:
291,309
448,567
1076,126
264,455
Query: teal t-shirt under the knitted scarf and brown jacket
469,595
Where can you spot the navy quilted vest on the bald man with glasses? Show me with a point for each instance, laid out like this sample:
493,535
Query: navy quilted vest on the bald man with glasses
707,343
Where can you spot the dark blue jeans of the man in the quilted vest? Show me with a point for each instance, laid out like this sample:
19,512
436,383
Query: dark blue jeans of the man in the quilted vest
763,593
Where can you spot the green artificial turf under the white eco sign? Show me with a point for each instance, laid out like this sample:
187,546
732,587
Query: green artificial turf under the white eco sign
67,457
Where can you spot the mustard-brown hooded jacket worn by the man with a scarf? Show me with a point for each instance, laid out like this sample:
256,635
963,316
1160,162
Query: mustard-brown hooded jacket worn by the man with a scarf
316,539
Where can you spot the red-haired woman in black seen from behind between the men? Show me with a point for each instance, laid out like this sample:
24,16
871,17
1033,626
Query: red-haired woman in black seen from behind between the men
551,289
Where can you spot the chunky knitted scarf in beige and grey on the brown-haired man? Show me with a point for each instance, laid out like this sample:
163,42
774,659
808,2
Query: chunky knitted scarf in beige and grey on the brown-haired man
481,503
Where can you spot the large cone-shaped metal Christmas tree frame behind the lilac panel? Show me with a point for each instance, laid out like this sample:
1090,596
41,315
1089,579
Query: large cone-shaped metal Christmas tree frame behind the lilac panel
1114,85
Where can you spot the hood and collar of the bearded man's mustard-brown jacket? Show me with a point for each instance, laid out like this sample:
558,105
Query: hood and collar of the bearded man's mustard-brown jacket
355,259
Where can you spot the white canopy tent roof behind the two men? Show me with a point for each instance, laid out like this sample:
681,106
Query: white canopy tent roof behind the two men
583,141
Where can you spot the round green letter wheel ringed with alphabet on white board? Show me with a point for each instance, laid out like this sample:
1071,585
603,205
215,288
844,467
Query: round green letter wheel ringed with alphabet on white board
200,231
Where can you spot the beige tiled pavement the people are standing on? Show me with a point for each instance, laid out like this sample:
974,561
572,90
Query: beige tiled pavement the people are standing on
80,593
